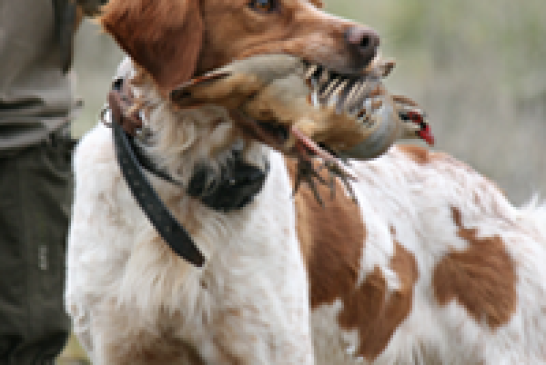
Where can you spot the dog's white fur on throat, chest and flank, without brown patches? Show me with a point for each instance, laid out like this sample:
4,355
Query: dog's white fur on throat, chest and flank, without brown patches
130,296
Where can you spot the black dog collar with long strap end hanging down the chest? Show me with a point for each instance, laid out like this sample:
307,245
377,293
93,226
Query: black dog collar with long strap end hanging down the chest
238,184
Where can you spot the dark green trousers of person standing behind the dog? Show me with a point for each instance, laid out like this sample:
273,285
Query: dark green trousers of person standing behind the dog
35,199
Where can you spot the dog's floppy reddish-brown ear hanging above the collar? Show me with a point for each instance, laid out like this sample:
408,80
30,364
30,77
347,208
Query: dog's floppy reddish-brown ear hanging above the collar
162,36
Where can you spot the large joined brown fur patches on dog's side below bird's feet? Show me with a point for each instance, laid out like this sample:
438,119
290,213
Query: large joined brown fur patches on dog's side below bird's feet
332,240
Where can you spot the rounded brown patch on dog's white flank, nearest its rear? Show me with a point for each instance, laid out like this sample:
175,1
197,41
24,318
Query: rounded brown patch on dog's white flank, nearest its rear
482,278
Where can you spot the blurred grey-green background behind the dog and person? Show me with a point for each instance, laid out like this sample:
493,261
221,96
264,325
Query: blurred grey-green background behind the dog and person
478,69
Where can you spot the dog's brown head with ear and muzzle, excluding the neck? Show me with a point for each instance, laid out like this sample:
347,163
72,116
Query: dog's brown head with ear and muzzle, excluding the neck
173,40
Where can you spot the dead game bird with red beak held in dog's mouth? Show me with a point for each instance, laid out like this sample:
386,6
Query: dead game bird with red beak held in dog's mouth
306,110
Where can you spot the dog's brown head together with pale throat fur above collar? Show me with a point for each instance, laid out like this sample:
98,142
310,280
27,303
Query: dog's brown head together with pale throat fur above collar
172,41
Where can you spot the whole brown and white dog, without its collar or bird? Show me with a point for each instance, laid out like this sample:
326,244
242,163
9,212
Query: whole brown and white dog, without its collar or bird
432,266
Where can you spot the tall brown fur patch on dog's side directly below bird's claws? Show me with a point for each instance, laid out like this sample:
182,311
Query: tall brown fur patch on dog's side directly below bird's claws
331,237
